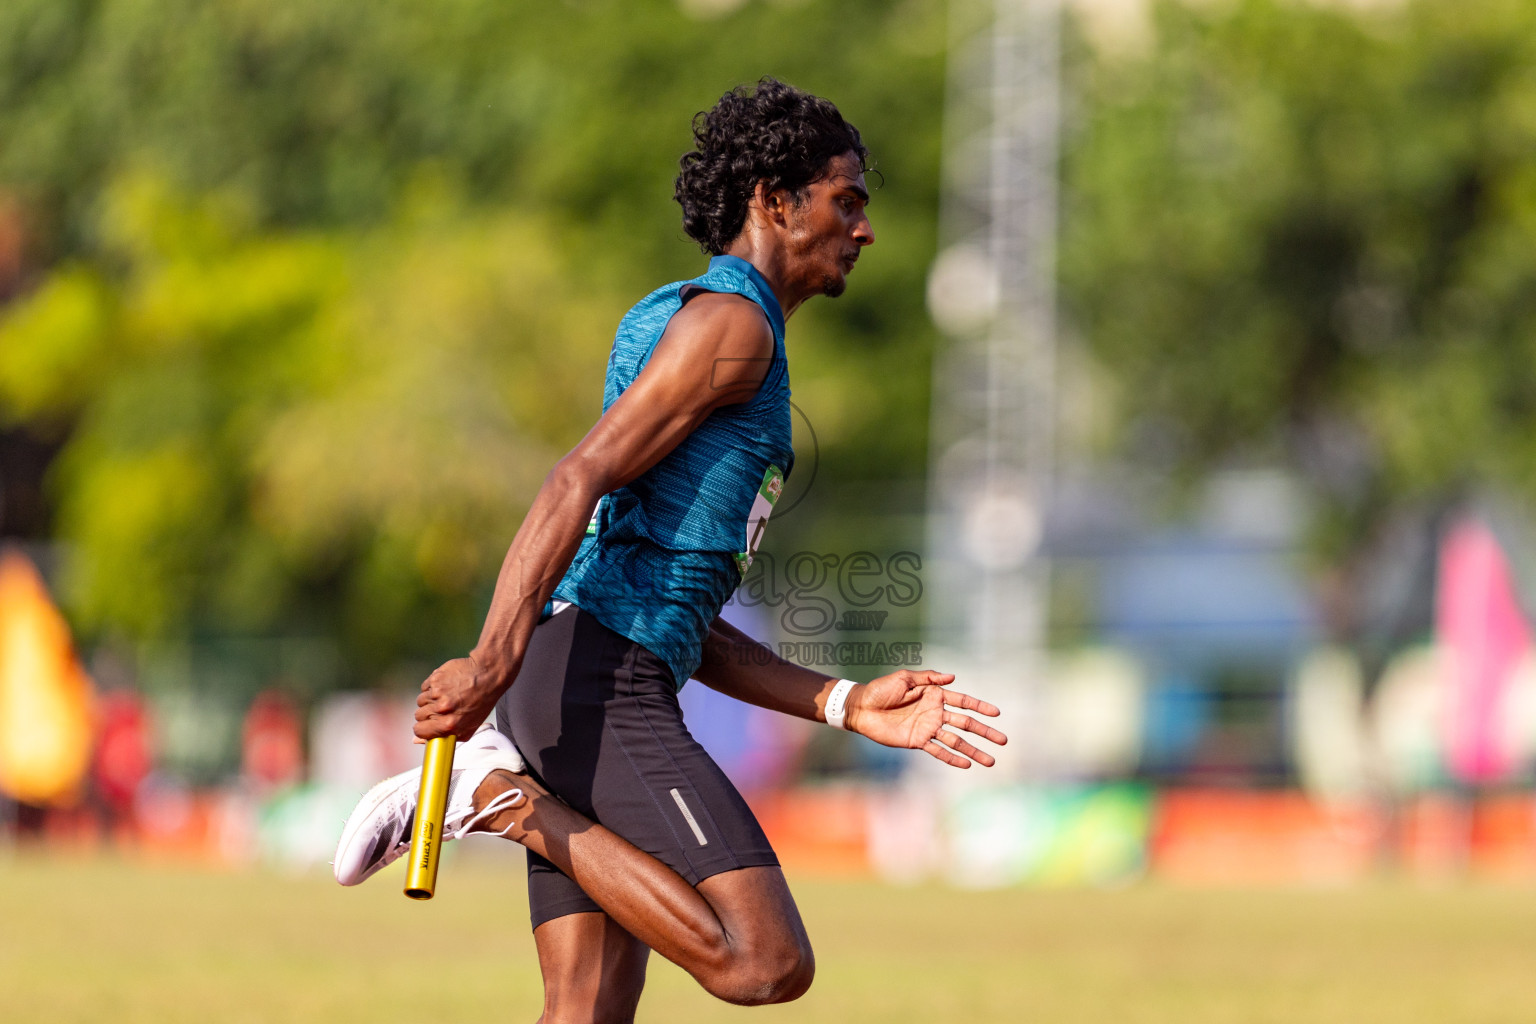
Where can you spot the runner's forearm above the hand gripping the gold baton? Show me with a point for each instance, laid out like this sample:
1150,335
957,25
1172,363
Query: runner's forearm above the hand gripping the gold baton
538,558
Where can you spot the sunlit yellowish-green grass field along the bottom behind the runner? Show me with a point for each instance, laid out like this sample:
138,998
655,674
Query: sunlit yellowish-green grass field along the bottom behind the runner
105,940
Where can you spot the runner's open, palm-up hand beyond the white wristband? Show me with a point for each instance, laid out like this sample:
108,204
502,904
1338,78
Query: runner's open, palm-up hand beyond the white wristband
913,710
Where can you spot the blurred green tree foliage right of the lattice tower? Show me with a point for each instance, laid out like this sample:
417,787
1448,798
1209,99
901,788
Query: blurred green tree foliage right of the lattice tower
1308,234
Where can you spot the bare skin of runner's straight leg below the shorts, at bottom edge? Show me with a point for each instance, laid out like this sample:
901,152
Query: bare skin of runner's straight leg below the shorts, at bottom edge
594,969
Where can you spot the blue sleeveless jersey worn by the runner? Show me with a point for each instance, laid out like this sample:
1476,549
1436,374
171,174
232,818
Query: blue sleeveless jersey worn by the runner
666,552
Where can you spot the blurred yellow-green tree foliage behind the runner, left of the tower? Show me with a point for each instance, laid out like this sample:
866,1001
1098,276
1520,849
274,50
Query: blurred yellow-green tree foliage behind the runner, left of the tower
320,289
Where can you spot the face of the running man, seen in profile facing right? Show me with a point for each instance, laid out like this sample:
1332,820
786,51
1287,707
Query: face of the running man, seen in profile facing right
829,228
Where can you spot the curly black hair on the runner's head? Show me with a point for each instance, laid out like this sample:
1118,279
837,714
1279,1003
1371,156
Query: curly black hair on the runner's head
773,134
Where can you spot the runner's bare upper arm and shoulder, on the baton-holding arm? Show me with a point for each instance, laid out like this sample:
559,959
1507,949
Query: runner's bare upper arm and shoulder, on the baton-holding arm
717,352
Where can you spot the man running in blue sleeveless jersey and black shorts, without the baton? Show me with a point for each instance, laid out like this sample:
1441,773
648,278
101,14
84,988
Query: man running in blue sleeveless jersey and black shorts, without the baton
637,841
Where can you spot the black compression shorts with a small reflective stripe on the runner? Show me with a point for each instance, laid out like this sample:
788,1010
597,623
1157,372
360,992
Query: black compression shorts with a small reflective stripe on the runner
597,716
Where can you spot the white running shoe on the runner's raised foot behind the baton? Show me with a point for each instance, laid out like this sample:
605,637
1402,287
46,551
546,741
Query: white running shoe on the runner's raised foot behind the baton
379,830
